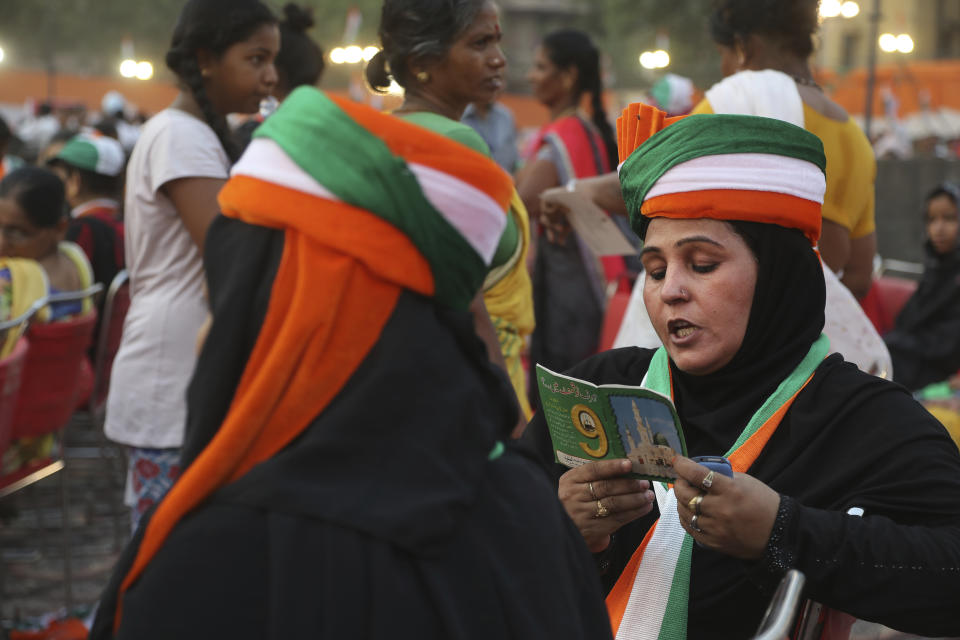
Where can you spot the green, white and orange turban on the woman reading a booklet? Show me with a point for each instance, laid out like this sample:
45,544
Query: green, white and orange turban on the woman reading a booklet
724,167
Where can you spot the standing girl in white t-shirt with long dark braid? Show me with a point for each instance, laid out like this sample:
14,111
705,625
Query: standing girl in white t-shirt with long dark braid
222,53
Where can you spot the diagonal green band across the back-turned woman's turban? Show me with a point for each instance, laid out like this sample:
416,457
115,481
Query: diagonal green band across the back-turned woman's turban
357,167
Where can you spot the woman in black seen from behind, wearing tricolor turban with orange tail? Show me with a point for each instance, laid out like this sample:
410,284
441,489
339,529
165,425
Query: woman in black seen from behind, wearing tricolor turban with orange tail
348,471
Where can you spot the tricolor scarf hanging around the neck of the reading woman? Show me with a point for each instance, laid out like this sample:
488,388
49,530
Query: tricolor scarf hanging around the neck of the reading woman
649,601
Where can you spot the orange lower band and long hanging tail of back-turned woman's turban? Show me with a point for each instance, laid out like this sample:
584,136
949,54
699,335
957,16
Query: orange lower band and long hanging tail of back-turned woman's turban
310,333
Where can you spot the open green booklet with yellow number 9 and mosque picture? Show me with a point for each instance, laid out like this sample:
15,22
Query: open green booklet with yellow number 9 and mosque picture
589,423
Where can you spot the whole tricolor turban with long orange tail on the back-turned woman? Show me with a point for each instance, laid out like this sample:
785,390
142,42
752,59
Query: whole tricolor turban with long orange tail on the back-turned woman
369,206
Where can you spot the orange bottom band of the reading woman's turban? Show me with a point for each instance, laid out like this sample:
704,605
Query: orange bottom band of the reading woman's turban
739,204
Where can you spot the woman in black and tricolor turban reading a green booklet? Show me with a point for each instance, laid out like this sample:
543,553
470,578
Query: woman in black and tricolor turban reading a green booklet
729,209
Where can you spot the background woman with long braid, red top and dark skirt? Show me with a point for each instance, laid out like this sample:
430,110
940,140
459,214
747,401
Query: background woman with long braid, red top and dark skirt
569,283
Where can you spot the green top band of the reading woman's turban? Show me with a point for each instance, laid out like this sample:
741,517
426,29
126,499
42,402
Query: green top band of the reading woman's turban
705,134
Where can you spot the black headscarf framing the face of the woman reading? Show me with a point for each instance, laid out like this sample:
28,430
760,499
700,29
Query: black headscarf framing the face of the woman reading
786,317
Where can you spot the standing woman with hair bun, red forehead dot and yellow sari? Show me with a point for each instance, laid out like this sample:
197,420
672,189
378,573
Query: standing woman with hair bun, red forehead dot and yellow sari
446,54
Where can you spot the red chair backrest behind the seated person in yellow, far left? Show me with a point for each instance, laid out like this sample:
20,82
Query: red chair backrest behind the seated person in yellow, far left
52,375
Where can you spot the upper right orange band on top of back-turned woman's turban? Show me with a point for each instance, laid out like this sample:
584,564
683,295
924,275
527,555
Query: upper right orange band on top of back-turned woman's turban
422,146
